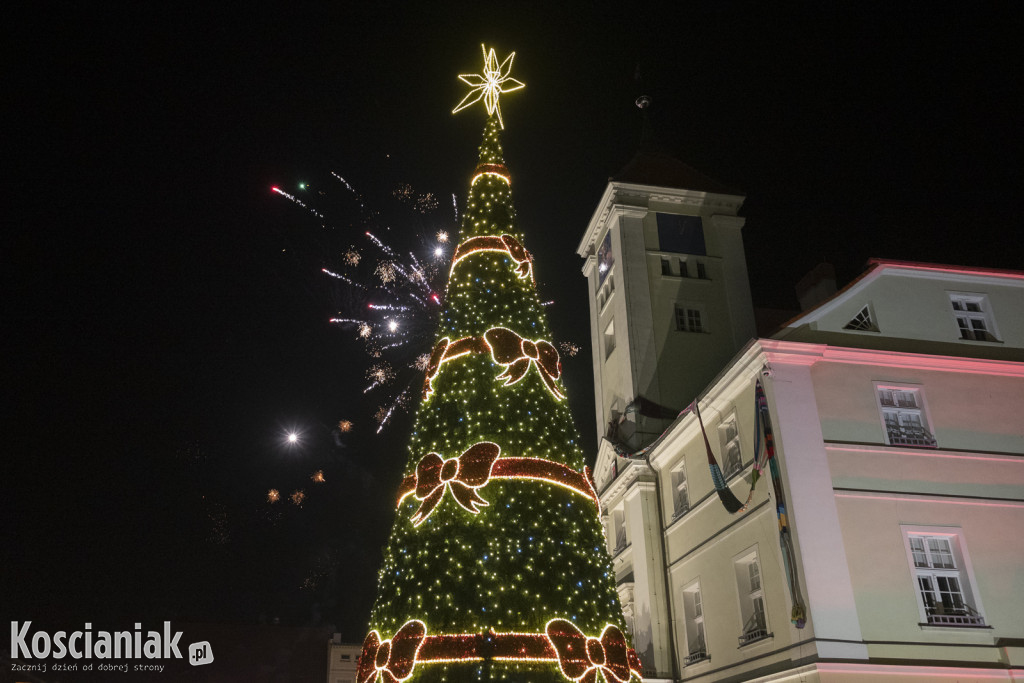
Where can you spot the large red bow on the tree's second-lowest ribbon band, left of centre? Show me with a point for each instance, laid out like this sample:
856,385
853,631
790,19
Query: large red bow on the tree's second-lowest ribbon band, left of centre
462,476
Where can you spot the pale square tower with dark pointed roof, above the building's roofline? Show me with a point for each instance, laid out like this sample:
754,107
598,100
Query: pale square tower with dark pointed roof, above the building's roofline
669,292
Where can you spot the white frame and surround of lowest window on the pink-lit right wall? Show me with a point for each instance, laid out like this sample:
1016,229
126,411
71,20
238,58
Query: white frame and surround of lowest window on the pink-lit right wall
962,570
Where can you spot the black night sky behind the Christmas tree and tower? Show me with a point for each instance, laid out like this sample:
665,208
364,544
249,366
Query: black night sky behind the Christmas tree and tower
165,321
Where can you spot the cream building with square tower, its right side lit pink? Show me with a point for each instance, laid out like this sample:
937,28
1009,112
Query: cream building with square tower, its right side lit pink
895,409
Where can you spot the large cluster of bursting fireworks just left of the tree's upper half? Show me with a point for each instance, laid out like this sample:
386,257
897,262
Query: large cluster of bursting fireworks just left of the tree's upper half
388,290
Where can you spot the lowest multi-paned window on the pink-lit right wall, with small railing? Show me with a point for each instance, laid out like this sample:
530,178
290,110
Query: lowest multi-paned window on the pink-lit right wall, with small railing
945,595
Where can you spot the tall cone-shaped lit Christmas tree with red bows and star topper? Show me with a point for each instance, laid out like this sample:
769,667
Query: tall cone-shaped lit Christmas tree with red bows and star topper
496,569
